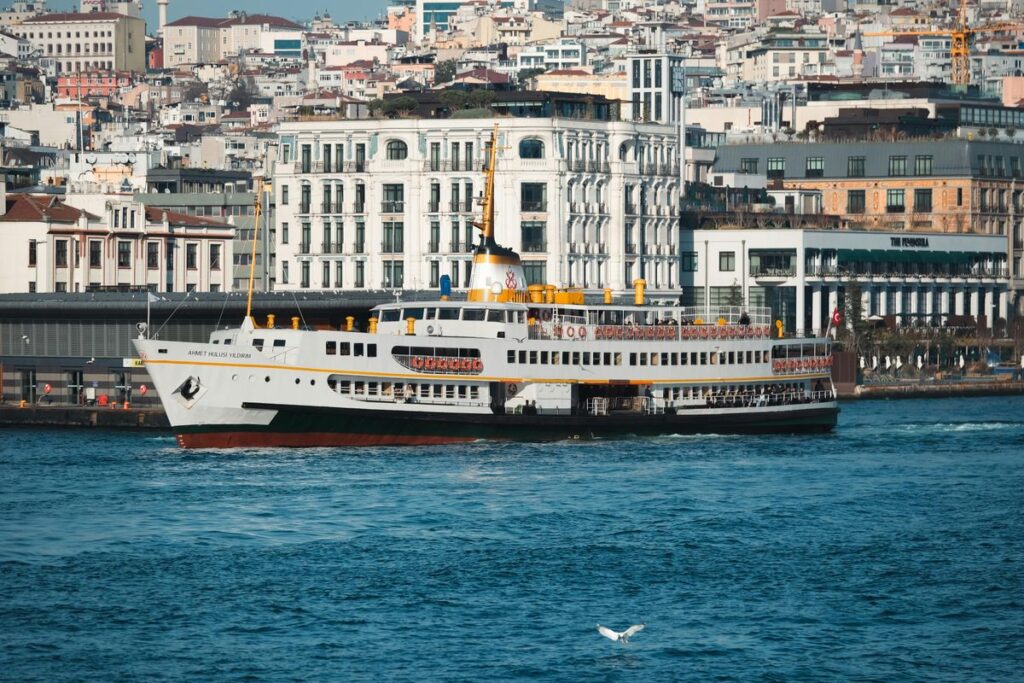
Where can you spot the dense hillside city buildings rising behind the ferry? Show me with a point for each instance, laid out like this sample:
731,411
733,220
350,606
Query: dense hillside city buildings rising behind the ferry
806,156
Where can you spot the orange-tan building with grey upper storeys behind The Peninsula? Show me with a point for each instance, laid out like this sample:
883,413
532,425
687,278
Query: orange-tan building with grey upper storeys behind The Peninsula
948,186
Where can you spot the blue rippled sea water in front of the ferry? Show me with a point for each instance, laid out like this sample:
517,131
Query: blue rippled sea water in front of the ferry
891,550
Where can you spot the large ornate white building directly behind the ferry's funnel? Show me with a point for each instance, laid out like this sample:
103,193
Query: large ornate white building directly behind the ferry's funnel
372,204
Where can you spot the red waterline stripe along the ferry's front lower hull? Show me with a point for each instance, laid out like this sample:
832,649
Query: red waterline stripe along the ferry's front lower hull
244,440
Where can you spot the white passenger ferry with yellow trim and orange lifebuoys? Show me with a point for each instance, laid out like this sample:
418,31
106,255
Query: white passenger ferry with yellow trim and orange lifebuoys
510,363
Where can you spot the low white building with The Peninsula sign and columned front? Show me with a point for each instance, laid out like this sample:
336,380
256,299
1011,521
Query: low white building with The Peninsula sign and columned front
803,276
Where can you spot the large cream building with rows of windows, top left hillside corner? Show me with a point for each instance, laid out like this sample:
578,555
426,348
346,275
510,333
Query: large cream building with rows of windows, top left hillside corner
75,42
